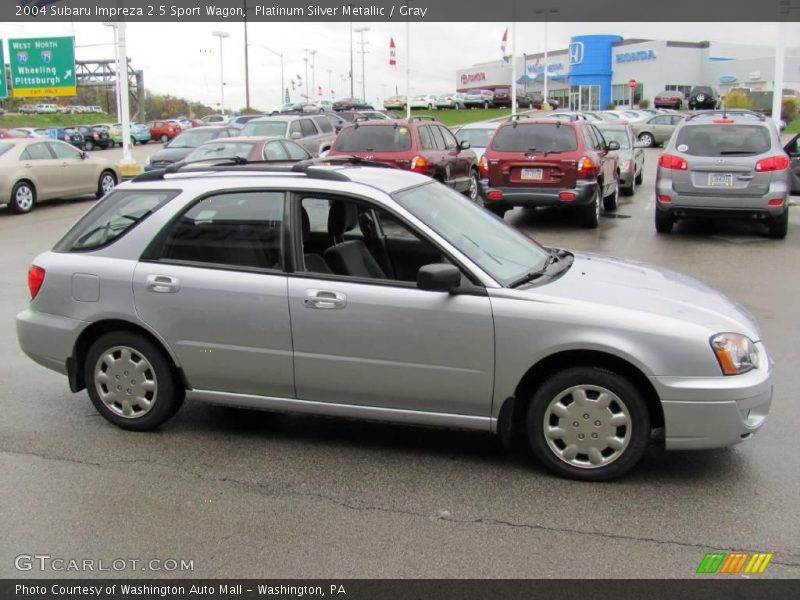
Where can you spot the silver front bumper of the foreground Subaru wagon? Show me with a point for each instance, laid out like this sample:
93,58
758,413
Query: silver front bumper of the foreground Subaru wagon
715,412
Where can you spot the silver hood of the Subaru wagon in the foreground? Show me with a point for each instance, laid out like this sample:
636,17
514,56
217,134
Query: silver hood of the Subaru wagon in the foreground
647,289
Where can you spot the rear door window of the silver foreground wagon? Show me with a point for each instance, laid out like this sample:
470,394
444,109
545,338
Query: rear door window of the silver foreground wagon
237,229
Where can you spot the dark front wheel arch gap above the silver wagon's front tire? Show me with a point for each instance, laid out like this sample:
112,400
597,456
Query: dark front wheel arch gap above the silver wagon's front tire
511,416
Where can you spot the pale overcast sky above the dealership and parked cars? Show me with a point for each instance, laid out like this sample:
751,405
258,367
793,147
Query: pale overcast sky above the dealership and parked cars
183,58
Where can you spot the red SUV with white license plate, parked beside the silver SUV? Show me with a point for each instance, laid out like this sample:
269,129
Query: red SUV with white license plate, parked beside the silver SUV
548,162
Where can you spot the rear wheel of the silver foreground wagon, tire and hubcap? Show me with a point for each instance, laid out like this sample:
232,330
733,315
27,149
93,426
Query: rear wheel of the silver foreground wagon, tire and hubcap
131,382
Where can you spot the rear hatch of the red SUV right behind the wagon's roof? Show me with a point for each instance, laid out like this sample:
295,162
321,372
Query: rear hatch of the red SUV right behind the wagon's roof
392,144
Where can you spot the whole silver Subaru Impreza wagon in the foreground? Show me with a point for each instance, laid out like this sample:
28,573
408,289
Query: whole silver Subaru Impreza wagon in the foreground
364,292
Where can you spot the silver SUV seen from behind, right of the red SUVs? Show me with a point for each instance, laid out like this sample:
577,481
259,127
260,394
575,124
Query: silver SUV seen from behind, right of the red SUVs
724,164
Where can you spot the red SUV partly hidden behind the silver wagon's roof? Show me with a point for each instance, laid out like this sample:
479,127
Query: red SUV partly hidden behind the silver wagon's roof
420,144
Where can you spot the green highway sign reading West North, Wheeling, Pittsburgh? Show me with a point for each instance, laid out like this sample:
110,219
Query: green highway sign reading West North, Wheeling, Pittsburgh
42,67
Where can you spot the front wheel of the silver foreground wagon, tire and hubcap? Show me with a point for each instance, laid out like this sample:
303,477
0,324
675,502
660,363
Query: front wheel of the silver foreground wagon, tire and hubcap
588,423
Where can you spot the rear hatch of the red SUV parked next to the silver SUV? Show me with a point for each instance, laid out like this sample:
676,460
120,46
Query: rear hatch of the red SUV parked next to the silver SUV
534,154
